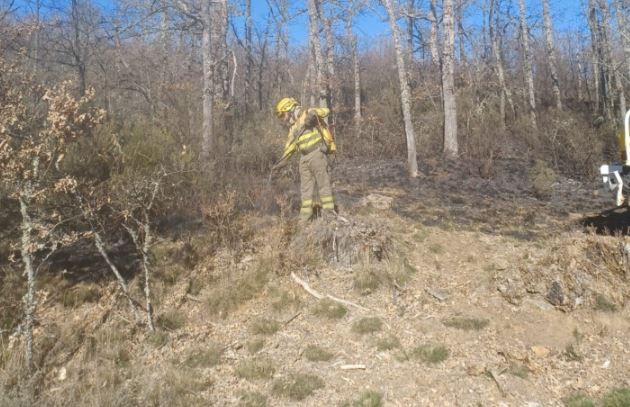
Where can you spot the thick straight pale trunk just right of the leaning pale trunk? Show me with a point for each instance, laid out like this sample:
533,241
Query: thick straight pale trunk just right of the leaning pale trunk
448,82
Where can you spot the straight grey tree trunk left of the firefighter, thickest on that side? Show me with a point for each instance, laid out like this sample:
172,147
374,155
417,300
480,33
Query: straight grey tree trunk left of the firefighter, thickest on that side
207,134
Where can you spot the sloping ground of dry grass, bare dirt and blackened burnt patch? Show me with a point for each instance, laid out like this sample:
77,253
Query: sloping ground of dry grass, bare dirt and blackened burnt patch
483,294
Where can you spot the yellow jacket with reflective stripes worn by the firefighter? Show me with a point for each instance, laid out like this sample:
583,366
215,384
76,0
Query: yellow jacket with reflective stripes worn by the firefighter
307,132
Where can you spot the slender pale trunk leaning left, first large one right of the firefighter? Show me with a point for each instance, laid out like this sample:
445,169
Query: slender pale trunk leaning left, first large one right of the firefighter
405,93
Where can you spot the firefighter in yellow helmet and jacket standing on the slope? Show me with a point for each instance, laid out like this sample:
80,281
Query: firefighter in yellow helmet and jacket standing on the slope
309,135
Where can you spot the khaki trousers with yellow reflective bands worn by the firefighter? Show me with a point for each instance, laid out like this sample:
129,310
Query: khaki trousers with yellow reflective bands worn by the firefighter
315,186
